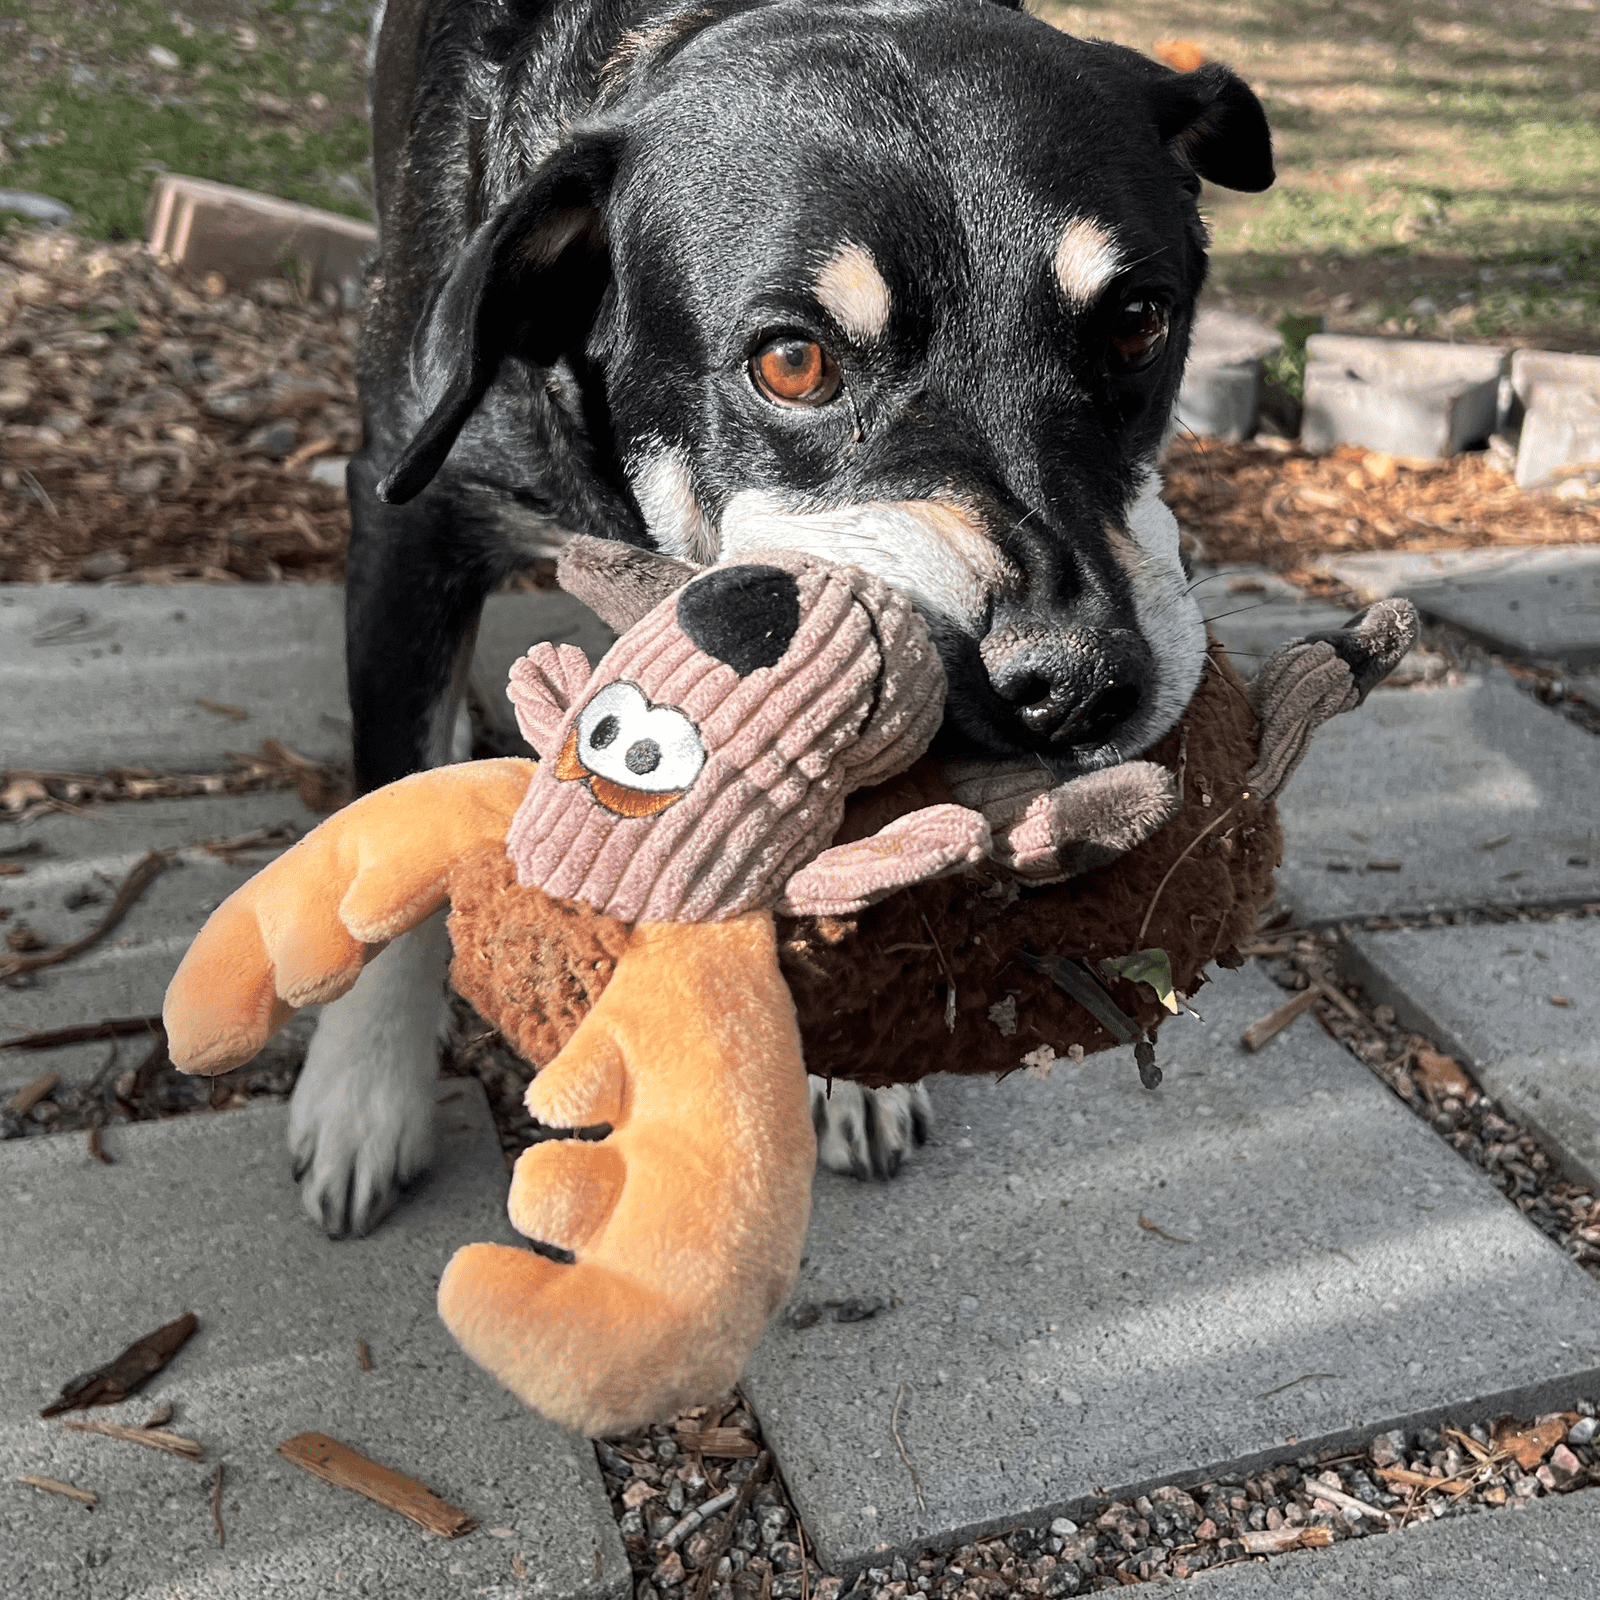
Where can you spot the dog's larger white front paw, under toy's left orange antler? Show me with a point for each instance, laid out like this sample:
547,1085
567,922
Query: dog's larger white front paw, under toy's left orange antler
362,1116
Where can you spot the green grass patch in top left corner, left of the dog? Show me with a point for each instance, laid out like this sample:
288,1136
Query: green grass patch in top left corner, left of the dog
95,119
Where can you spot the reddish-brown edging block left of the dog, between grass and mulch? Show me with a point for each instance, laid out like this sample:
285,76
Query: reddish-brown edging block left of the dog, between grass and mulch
244,236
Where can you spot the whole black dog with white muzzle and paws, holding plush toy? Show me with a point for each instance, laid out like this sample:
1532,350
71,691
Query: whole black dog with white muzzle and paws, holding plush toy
905,284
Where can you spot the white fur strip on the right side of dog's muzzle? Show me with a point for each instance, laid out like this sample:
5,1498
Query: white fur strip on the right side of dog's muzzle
1169,615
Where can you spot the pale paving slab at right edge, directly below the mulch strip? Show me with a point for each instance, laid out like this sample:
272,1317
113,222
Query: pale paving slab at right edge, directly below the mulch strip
1540,604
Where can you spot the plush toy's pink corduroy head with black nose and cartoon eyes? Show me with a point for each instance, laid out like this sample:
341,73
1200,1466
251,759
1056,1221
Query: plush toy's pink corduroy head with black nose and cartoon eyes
711,753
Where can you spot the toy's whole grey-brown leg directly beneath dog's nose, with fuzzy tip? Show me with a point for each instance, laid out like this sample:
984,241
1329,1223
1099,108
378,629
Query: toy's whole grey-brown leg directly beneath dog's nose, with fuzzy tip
1047,831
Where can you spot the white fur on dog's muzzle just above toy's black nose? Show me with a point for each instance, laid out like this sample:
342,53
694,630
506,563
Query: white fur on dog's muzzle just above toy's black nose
932,551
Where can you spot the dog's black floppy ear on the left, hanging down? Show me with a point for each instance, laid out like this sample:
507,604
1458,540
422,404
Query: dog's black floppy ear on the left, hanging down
530,279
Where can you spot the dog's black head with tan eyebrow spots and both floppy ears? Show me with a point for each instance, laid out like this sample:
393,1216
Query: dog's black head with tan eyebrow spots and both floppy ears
906,286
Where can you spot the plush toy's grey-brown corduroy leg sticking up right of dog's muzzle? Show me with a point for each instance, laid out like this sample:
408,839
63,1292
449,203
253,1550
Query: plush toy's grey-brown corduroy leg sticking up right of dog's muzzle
1310,681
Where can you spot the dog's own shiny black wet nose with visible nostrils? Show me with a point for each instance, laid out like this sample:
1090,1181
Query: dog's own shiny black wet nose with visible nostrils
1070,689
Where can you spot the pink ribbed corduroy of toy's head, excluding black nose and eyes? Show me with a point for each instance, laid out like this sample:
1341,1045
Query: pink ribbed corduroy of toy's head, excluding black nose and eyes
855,698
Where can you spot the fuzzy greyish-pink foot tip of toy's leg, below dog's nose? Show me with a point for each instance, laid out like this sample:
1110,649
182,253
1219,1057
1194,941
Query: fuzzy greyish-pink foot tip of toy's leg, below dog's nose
1090,822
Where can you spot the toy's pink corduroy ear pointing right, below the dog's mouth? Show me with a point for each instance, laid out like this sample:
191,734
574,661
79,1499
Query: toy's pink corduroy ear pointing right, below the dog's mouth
914,849
